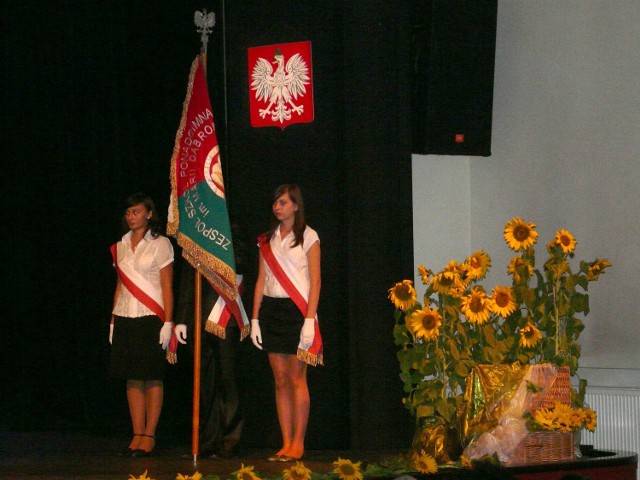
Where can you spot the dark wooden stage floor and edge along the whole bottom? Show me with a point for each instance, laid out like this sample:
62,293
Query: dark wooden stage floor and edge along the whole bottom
65,455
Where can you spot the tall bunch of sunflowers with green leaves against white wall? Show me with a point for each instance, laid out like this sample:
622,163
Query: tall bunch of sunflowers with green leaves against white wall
460,324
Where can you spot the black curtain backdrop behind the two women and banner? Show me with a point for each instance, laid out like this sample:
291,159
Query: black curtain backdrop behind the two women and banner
93,97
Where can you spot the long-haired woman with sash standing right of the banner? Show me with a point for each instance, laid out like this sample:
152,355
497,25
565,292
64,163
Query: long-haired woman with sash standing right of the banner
284,321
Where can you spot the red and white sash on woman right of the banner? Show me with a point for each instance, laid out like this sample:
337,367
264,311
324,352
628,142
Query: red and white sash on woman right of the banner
288,278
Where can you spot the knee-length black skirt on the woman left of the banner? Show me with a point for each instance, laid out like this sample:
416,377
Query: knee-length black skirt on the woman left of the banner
135,351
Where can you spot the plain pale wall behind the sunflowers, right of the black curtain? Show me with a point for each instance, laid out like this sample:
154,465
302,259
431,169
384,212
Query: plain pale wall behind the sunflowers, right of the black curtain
565,154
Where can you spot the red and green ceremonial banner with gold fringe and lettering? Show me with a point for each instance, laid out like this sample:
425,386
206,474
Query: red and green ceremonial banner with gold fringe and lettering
198,216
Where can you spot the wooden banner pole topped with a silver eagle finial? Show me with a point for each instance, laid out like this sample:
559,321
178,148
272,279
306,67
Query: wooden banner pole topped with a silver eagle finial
205,23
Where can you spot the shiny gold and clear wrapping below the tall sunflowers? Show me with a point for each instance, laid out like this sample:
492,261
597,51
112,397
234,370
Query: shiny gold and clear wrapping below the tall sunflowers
498,397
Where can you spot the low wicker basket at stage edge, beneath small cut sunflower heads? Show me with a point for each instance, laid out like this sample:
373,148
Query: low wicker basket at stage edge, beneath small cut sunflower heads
543,447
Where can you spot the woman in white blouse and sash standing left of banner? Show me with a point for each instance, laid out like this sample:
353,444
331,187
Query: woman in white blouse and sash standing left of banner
141,320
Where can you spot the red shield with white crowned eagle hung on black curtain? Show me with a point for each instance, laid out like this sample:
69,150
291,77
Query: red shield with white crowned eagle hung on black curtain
281,81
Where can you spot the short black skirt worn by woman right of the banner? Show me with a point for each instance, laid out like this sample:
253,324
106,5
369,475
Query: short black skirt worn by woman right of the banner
280,325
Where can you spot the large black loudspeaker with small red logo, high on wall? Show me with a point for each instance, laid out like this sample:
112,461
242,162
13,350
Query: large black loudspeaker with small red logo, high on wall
453,43
